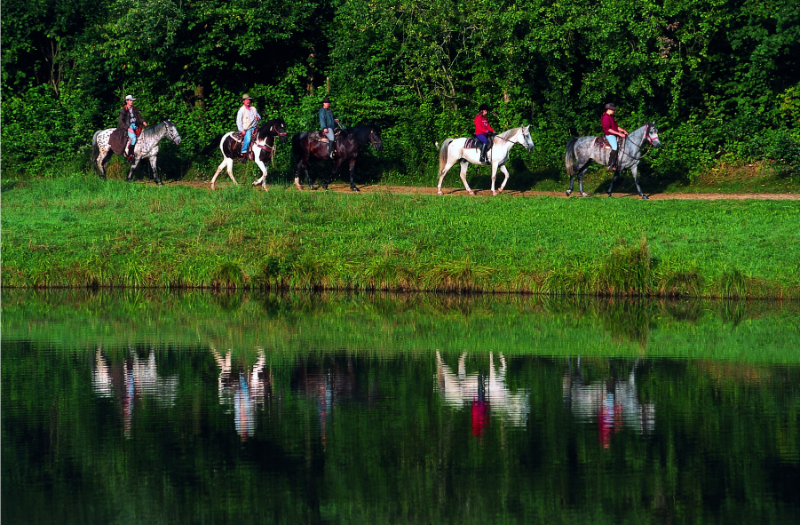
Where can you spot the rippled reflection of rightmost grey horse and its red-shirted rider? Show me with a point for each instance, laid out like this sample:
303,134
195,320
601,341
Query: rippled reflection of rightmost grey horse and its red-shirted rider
611,402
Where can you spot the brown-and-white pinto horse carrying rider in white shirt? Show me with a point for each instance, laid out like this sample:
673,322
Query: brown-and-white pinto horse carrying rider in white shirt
263,148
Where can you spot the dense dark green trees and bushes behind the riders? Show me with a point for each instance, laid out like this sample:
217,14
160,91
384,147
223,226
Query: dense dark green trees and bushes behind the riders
720,77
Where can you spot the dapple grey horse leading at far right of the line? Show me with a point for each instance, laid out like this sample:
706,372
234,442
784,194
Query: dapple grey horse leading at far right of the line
584,151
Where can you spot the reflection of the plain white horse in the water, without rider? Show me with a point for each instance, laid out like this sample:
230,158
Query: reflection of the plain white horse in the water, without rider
462,389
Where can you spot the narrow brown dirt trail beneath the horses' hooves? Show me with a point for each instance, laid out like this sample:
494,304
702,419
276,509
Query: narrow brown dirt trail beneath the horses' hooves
459,192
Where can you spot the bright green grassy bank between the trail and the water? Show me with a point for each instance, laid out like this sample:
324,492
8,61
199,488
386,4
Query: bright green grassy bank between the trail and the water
80,231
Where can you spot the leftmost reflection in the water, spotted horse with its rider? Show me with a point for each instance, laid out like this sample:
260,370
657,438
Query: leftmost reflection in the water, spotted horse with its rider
133,379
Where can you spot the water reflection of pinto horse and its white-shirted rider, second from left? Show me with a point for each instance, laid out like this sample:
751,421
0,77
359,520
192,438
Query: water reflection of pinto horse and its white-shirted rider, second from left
243,392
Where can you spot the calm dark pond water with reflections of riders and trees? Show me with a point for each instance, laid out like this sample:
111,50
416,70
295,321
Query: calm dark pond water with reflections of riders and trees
202,408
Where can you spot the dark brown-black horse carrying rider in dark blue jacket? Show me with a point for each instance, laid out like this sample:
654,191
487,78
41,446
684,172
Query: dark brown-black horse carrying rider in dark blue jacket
346,148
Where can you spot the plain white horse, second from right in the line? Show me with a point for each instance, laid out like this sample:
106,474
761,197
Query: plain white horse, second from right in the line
458,150
